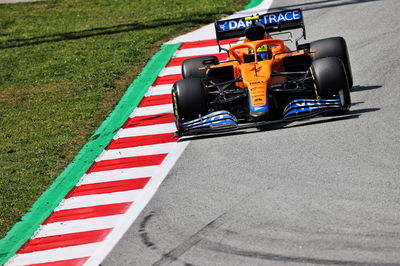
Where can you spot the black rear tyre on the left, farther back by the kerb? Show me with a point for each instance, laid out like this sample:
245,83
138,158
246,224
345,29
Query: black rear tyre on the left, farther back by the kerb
190,67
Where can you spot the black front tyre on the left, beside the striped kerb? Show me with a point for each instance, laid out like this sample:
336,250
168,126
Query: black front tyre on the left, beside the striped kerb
189,100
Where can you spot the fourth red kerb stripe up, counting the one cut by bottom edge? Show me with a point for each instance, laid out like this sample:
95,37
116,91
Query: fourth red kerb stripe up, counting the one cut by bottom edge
108,187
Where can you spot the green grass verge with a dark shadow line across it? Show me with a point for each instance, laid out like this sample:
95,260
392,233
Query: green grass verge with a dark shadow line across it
63,67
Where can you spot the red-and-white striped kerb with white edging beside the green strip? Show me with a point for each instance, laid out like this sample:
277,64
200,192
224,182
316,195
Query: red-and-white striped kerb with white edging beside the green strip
96,213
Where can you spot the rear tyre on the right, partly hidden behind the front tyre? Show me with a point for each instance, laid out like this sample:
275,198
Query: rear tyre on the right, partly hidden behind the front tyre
333,47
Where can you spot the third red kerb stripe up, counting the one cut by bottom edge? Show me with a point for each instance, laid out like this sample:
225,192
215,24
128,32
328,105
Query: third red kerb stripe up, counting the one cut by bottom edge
88,212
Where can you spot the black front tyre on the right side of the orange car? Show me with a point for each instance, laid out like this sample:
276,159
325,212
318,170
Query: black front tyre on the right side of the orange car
330,80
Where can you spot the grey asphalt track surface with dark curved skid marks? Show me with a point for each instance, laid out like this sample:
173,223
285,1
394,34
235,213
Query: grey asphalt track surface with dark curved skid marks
320,192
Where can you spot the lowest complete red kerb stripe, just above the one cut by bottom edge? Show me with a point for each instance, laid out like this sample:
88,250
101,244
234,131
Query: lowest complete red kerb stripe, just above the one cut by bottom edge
66,240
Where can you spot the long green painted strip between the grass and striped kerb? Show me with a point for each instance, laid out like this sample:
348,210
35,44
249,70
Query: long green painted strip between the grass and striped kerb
50,199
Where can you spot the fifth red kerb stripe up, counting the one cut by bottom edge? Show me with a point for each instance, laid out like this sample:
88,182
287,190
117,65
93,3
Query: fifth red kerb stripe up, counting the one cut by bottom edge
129,162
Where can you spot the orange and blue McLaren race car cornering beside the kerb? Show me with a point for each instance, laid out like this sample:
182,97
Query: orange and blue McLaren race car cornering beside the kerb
263,81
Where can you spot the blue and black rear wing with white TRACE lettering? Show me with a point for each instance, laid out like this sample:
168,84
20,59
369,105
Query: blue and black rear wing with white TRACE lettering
273,22
